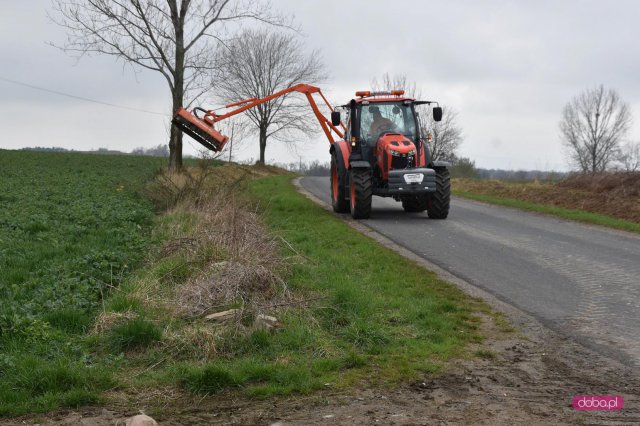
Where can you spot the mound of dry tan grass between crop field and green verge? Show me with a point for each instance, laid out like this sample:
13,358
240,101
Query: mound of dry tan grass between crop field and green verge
216,255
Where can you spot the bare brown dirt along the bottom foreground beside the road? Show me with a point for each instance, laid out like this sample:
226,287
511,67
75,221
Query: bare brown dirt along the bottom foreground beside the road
518,379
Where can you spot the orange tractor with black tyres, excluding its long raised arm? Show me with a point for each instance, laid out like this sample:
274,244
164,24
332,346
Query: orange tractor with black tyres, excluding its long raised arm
384,153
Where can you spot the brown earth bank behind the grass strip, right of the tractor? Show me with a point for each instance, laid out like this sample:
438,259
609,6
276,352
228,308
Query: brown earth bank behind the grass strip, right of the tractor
612,194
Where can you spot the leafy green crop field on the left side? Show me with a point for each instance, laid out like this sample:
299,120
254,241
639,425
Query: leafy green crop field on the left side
72,227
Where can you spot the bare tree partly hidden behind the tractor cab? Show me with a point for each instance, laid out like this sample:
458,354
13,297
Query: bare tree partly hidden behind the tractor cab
446,135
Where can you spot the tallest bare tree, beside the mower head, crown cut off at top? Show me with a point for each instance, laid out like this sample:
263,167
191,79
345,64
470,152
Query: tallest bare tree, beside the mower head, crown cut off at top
172,37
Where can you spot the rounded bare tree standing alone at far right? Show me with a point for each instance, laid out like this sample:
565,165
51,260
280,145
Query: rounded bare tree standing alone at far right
593,125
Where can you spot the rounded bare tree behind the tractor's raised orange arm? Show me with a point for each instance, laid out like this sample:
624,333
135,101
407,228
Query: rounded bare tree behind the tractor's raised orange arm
258,63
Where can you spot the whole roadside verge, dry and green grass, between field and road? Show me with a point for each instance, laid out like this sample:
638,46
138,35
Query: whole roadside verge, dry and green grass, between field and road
348,309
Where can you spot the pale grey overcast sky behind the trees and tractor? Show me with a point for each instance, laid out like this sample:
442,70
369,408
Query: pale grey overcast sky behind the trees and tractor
507,67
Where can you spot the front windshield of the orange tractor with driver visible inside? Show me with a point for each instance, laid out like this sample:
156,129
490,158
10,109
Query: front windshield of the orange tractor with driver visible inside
379,118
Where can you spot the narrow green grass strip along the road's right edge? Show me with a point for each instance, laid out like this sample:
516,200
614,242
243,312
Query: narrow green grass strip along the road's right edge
572,214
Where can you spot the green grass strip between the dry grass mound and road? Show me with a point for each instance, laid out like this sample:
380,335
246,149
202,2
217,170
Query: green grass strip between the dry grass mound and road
380,313
